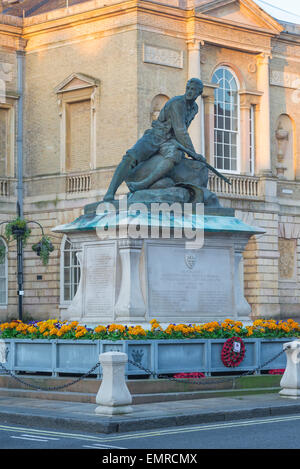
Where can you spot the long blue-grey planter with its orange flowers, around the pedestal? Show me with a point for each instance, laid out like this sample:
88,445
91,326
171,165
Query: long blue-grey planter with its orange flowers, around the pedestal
60,347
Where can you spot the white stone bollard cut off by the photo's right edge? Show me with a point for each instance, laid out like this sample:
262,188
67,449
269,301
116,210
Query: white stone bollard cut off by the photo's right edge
290,381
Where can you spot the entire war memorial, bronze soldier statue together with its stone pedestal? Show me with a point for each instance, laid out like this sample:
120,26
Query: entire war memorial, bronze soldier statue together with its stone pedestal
172,277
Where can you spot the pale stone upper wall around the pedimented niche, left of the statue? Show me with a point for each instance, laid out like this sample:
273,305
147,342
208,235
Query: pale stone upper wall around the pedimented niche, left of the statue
105,59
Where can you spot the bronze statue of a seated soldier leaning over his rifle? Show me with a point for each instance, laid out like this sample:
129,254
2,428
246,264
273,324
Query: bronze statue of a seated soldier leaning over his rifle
156,169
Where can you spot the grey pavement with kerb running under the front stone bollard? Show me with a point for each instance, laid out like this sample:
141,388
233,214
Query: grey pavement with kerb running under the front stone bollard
82,416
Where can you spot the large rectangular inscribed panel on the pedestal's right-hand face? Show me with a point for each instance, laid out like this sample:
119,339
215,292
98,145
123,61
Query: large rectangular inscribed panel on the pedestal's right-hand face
175,289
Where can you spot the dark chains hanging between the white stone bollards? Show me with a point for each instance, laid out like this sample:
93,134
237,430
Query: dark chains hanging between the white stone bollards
200,382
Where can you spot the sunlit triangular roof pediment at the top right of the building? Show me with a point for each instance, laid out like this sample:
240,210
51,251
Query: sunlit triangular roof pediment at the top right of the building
245,12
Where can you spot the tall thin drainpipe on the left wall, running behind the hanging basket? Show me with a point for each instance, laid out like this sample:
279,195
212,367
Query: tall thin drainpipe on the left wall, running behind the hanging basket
20,188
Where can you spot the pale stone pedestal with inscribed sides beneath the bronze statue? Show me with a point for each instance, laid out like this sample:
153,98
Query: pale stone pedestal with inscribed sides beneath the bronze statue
132,281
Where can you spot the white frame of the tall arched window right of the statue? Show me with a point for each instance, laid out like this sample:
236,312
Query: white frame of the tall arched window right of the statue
238,132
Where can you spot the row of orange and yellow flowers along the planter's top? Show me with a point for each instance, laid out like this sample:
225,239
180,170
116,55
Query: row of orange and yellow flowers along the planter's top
55,329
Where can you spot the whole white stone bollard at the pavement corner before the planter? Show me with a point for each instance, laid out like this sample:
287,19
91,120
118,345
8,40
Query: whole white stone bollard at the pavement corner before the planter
113,396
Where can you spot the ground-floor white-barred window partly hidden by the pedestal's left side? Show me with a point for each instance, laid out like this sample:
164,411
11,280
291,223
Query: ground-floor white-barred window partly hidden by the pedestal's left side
70,270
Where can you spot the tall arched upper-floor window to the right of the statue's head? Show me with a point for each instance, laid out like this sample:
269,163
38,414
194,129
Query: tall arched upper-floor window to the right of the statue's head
226,135
